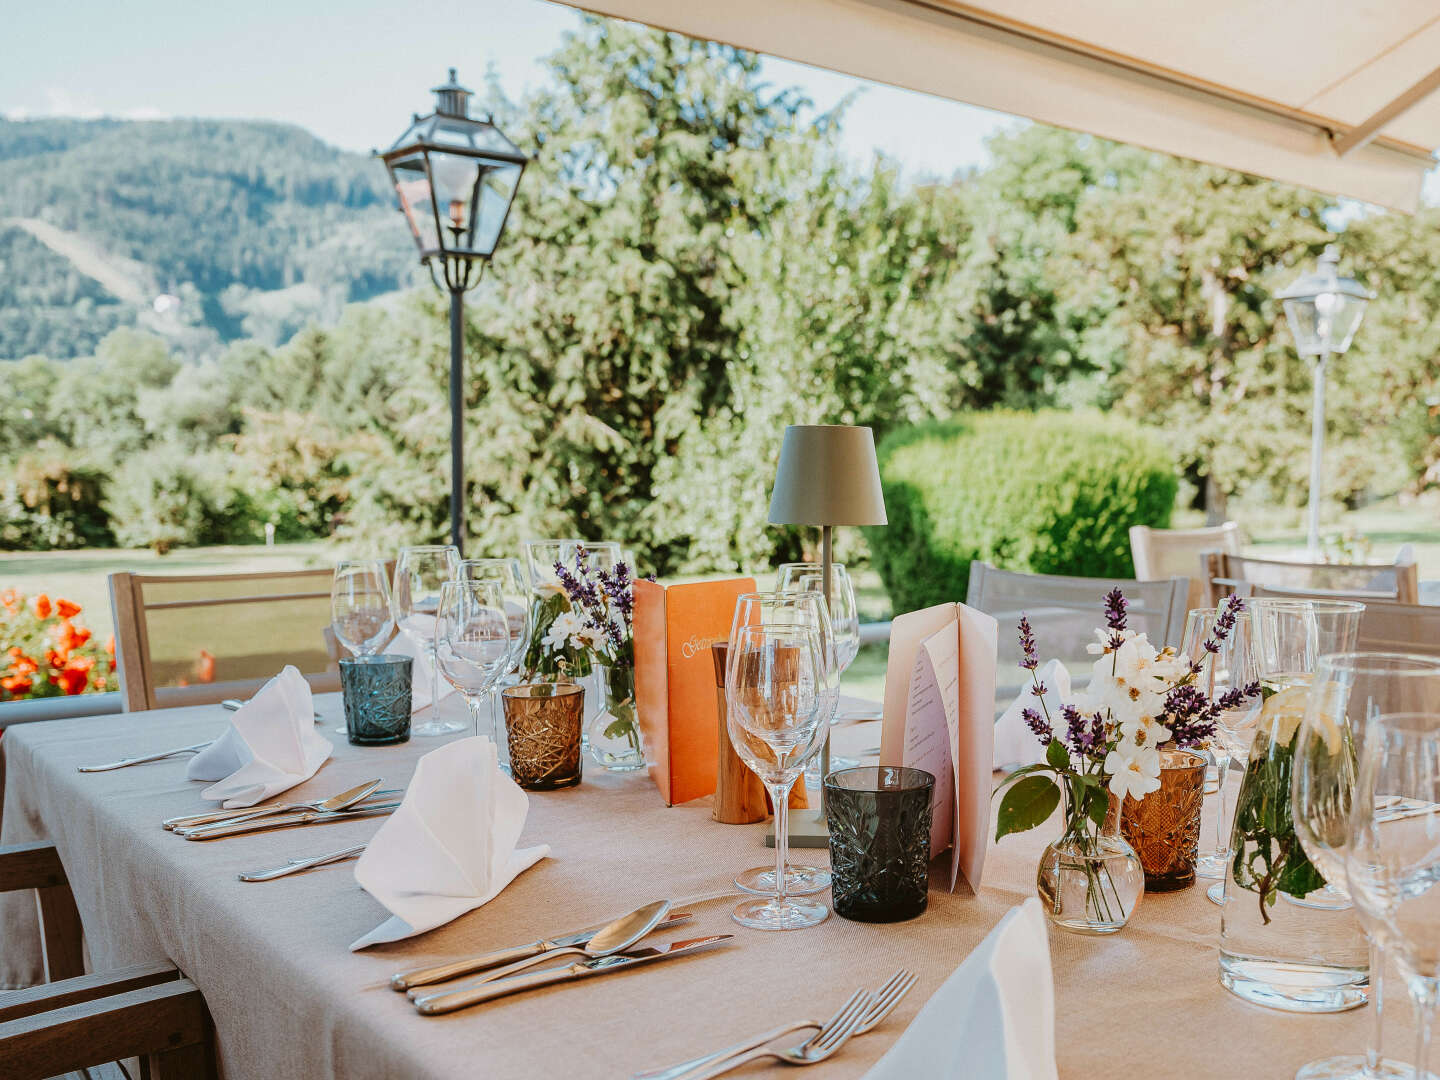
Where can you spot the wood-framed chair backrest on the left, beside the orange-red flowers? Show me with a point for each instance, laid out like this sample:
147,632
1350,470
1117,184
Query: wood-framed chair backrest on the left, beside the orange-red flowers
201,639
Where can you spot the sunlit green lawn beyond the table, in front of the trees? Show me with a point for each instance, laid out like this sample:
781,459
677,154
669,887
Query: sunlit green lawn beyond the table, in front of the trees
80,577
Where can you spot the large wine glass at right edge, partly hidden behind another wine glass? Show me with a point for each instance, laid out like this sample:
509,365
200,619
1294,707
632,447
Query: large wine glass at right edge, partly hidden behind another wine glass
1349,689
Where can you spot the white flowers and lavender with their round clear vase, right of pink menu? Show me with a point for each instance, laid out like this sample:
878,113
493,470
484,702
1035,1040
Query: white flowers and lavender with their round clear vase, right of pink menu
1101,748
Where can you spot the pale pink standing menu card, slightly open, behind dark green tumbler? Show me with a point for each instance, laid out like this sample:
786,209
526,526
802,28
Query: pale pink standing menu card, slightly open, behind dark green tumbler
941,718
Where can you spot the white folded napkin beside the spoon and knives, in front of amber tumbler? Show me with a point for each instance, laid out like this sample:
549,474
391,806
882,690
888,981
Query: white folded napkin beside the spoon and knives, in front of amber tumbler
450,847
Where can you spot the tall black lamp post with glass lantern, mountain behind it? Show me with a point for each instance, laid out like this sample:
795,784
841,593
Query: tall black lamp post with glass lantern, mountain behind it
456,178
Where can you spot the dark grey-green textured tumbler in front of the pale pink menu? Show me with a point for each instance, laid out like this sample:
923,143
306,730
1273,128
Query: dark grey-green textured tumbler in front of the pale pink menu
879,842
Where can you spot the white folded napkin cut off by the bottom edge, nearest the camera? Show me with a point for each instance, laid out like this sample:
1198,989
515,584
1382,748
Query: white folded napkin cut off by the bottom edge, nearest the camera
994,1019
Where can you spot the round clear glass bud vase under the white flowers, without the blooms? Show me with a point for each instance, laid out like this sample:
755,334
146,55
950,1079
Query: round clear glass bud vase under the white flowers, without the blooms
1091,881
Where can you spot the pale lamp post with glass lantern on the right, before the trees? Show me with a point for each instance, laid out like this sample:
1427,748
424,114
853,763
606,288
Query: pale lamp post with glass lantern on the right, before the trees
1324,312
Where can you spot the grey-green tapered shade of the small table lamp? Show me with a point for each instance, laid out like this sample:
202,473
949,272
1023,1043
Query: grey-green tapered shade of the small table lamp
829,476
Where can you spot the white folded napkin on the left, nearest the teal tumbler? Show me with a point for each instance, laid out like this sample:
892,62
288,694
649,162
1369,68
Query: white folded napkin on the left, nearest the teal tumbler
270,747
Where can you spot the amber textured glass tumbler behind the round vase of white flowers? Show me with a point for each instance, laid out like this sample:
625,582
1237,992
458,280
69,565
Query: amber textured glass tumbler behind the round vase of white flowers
1164,827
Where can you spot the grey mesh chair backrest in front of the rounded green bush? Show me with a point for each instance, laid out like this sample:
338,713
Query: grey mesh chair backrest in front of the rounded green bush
1065,614
